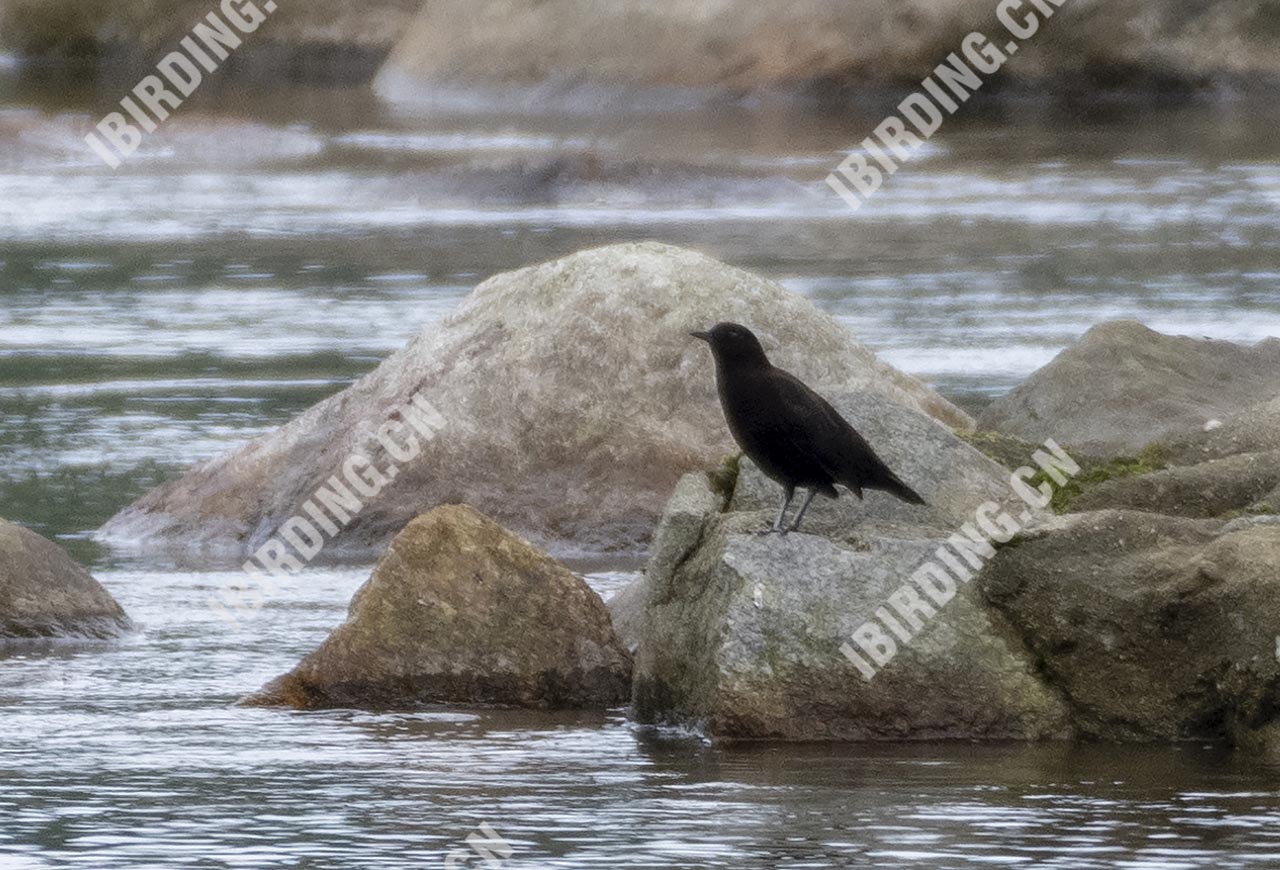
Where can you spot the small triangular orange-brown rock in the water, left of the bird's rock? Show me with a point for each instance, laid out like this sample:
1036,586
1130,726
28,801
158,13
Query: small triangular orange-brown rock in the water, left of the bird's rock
460,611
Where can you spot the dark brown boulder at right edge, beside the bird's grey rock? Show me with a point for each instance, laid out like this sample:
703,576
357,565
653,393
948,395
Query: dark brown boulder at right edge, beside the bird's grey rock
1153,628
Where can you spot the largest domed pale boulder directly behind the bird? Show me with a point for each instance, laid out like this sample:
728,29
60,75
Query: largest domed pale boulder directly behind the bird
572,399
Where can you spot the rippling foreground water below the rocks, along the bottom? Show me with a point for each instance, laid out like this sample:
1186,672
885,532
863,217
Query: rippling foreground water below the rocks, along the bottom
134,757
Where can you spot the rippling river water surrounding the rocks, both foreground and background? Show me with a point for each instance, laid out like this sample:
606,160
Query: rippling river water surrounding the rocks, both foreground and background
267,248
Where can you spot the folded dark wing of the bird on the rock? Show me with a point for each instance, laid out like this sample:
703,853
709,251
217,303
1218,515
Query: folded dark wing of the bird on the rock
817,431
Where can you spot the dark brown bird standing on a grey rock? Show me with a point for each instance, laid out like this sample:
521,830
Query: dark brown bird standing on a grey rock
792,433
